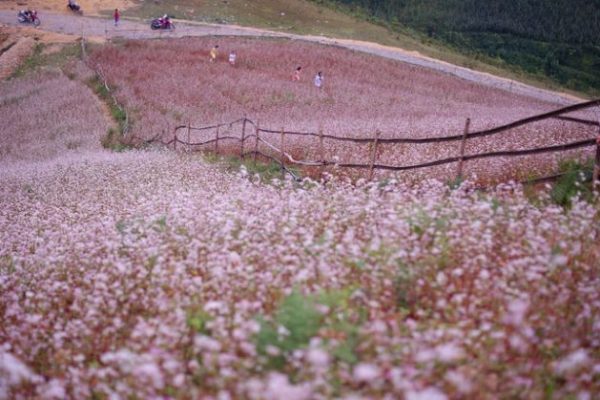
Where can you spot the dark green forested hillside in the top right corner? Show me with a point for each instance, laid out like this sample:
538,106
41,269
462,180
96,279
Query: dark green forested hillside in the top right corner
548,38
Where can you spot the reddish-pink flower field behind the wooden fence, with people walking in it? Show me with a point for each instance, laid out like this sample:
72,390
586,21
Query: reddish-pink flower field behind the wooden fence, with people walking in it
171,82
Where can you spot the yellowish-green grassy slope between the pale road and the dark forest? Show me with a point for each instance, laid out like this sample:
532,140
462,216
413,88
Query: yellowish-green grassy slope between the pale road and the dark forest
304,17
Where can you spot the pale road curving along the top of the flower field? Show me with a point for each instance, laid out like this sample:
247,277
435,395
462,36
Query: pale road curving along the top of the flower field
97,28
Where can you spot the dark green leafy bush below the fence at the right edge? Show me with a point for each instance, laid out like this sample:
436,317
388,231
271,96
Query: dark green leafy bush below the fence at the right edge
577,180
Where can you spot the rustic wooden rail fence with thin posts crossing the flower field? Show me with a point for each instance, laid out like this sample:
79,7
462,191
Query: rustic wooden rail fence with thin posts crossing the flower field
251,131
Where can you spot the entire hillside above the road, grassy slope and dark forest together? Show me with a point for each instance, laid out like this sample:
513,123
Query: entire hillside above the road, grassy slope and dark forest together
531,42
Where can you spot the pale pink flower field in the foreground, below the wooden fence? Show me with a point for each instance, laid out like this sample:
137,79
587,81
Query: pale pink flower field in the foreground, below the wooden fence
155,275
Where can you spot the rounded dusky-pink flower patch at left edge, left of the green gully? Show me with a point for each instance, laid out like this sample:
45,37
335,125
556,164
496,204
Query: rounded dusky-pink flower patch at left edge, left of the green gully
45,116
